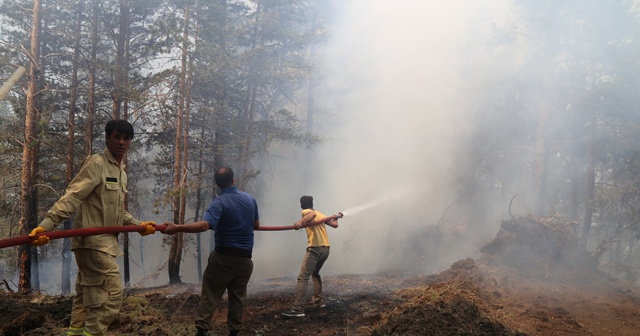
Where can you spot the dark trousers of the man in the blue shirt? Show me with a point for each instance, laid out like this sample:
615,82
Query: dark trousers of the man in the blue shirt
224,272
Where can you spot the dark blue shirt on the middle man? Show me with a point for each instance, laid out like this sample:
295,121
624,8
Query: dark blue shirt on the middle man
232,215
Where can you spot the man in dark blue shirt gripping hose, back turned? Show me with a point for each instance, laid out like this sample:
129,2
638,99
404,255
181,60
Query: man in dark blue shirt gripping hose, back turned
233,216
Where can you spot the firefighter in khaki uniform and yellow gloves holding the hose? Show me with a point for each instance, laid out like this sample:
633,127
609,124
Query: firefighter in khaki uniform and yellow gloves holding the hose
98,194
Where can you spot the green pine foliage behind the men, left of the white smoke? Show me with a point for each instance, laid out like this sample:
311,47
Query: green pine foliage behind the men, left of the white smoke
247,65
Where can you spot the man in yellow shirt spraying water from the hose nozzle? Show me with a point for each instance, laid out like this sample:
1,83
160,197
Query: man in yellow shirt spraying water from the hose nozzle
317,254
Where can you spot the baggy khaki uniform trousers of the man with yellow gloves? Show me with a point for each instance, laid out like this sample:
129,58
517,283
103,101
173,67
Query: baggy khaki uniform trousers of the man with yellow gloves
99,293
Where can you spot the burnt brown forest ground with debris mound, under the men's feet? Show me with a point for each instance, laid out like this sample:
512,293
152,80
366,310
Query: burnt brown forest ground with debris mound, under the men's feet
531,280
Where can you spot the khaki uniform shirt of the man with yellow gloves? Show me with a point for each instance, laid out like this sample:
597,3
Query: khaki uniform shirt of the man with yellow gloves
97,193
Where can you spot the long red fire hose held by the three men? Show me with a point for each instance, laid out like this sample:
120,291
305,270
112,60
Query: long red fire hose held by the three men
20,240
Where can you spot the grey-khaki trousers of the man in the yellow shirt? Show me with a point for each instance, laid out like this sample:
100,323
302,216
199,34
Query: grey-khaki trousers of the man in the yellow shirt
311,265
